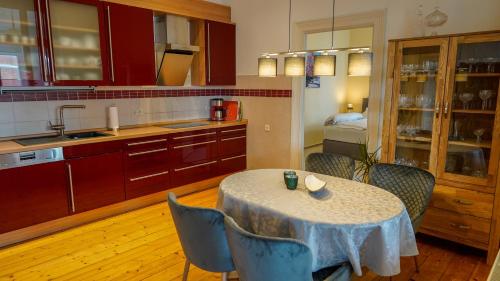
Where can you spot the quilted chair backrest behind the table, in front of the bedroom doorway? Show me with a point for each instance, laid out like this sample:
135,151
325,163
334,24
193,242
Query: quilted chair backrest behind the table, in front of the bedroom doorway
330,164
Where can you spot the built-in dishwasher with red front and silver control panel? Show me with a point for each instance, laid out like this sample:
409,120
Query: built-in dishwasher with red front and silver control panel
34,188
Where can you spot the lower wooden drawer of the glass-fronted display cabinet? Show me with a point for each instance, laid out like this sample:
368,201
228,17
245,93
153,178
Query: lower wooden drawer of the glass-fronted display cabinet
461,228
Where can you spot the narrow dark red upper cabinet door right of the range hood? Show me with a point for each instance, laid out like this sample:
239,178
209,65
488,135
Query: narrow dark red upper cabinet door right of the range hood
220,53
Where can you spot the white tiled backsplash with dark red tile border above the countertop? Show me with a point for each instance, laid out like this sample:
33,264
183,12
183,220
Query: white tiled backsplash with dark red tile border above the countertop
25,113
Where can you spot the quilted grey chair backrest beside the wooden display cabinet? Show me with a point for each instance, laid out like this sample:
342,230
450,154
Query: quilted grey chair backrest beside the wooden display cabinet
412,185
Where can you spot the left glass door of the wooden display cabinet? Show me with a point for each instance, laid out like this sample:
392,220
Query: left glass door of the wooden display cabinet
419,75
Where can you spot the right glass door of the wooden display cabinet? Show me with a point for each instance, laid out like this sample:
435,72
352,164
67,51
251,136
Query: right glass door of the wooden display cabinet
470,144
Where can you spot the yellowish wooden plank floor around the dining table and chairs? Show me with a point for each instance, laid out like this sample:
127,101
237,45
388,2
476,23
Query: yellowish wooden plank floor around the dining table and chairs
143,245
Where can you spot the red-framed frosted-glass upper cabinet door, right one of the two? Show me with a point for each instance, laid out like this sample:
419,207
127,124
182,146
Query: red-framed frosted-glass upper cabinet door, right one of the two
77,42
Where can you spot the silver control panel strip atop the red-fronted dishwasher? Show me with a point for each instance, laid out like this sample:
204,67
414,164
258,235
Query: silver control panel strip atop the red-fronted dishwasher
28,158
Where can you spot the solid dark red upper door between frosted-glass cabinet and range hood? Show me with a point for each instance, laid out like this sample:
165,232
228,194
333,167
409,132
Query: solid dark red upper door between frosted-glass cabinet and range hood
132,45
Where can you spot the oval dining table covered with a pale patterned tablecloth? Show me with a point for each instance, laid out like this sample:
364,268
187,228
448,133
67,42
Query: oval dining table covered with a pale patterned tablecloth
349,221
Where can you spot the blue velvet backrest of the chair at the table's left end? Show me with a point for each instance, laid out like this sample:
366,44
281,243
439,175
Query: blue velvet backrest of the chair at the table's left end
202,235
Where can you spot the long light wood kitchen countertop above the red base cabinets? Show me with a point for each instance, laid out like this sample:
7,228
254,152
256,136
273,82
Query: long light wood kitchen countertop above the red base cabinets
127,133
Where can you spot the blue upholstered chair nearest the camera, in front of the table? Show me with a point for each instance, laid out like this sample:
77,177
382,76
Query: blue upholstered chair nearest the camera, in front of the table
274,259
